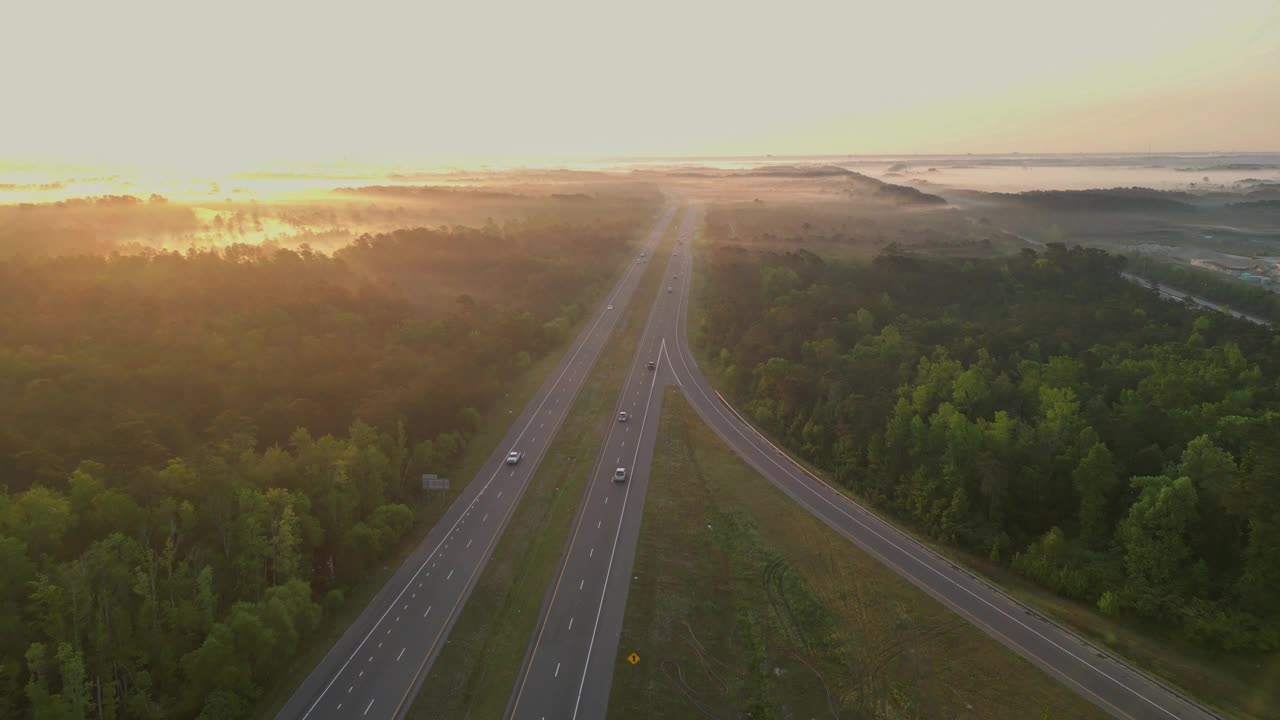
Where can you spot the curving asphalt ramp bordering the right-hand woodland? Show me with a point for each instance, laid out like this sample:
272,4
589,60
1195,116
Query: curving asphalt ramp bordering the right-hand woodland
1119,690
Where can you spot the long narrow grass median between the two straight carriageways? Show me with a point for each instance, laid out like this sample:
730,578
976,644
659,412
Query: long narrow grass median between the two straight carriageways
476,672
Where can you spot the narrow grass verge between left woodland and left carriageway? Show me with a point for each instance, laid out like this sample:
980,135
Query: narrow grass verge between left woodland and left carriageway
493,427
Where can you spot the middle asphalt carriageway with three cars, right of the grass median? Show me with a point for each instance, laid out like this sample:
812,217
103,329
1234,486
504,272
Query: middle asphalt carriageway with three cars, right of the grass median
569,667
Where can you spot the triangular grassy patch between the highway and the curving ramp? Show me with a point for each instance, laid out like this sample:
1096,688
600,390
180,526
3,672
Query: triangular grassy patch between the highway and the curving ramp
747,605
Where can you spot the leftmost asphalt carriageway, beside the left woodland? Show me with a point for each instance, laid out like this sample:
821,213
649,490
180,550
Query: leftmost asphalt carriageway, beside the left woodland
376,669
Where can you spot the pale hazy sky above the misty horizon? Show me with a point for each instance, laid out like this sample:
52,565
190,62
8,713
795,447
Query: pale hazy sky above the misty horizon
212,86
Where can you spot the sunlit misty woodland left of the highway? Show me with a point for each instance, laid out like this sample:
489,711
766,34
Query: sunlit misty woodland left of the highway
200,452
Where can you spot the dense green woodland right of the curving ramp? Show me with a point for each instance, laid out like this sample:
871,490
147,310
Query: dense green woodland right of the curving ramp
1036,409
